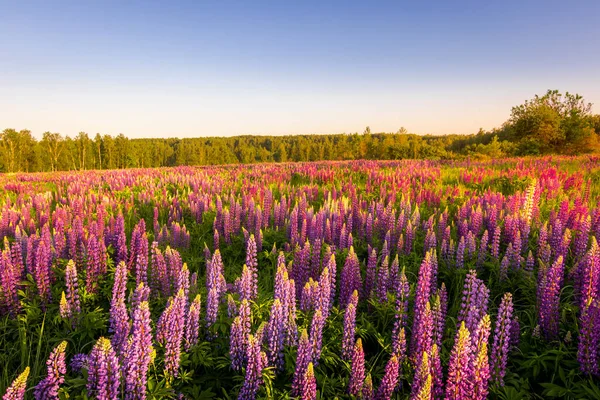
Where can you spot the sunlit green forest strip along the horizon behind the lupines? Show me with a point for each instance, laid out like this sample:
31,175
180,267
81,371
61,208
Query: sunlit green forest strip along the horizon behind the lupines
553,123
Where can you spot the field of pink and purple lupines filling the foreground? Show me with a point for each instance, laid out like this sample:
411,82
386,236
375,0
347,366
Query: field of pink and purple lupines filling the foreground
349,280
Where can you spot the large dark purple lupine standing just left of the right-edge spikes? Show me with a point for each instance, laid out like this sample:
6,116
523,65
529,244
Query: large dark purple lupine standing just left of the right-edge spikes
549,297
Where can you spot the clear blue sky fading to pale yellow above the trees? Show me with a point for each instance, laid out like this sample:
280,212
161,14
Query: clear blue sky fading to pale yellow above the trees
223,68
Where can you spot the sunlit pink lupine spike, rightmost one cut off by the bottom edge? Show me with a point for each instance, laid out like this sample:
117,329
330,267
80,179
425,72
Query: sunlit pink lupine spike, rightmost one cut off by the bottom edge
481,367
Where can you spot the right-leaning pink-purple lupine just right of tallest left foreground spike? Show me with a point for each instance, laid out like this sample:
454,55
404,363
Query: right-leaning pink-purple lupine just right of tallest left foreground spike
170,330
